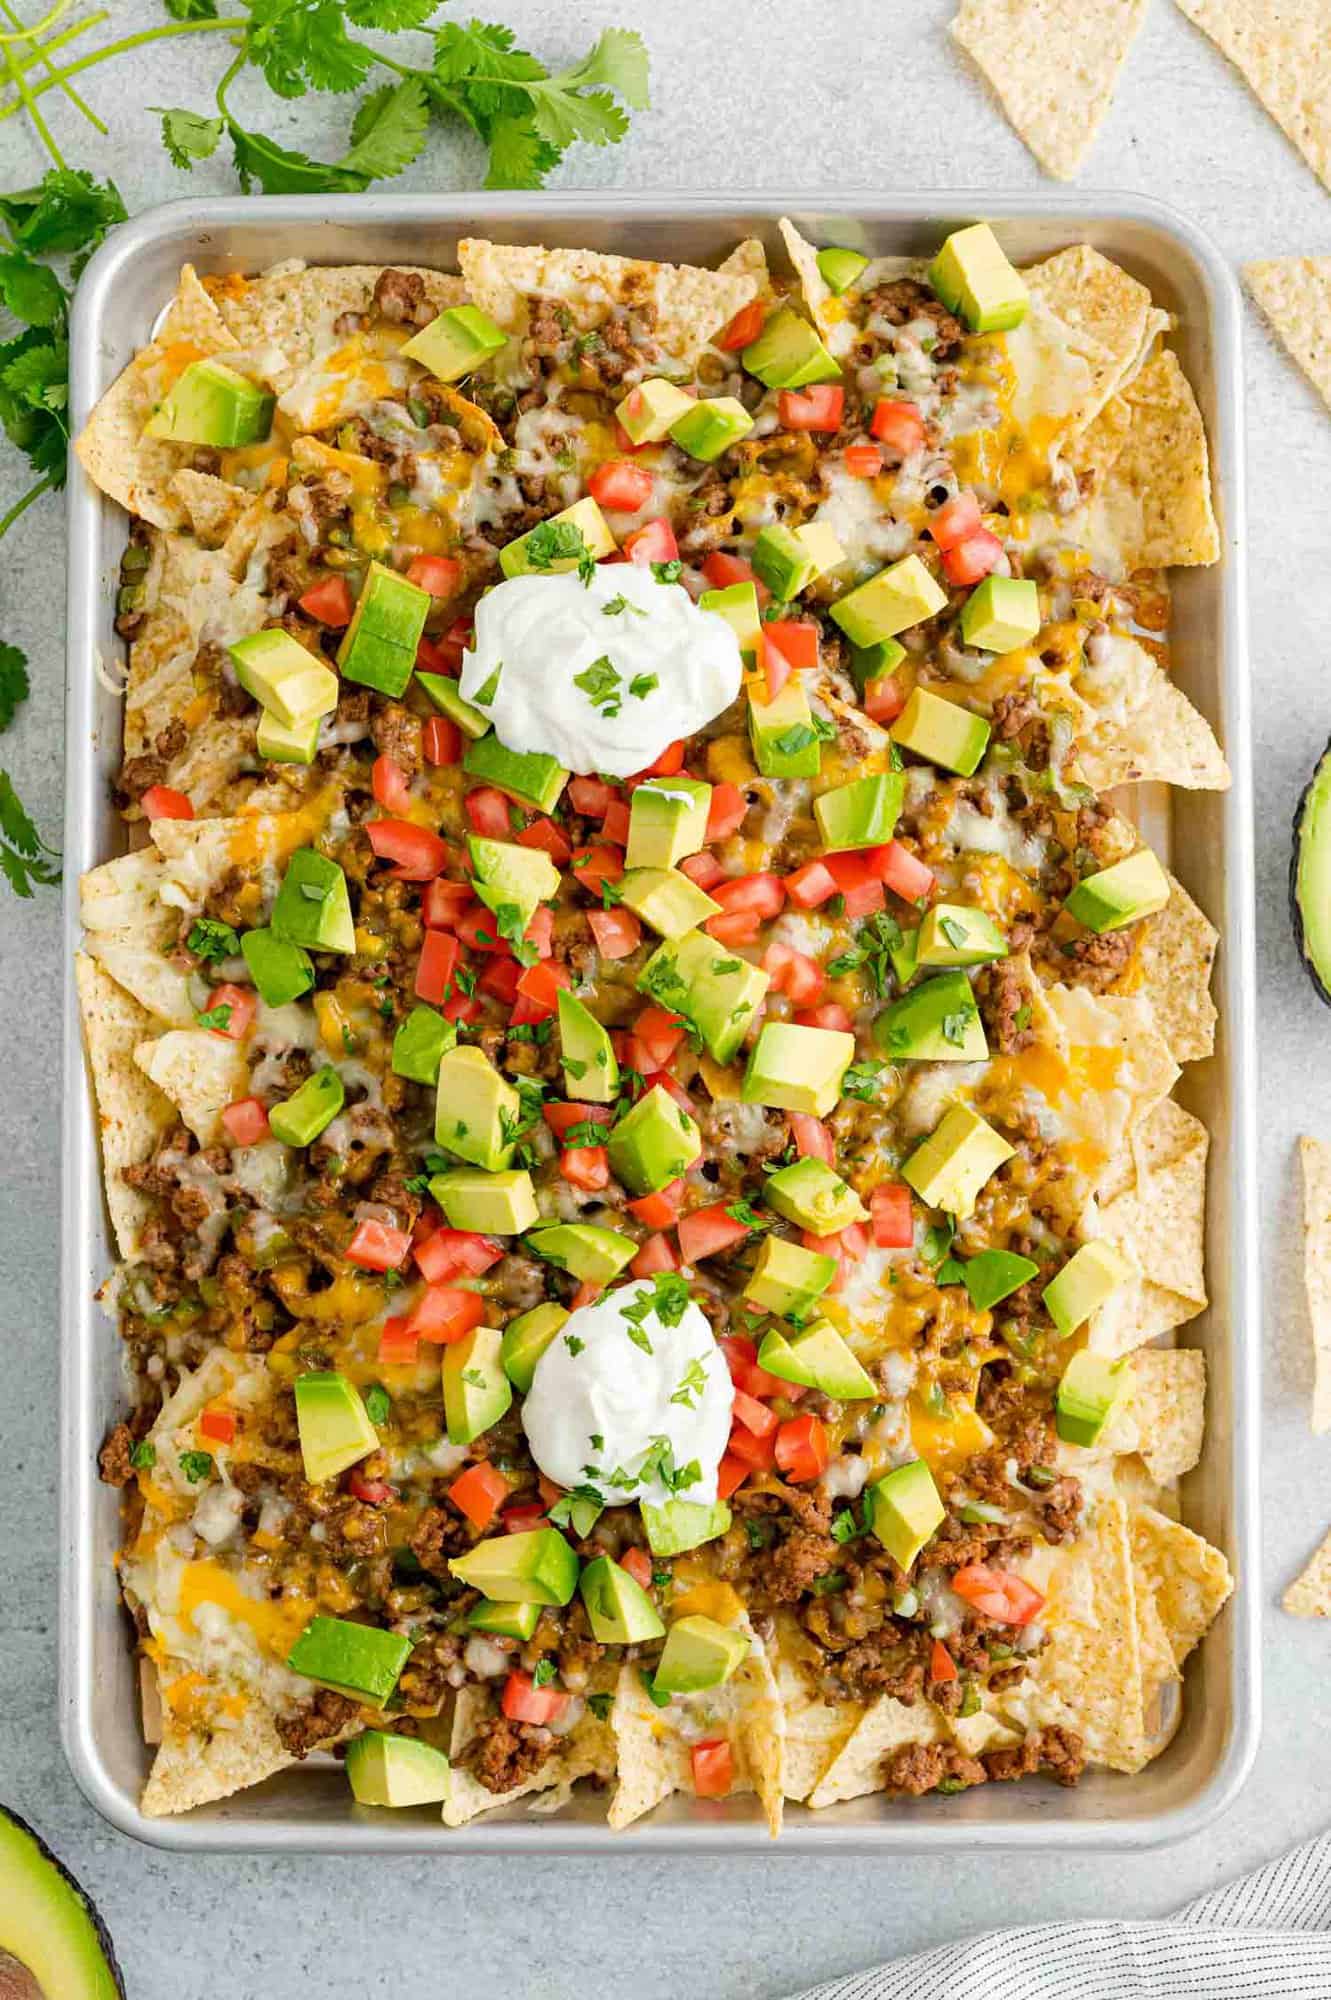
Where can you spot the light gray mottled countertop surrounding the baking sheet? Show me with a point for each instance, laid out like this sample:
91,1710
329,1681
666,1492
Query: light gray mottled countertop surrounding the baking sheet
760,93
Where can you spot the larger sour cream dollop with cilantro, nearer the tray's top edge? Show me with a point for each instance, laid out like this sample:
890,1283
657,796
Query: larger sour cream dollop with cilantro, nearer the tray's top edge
601,675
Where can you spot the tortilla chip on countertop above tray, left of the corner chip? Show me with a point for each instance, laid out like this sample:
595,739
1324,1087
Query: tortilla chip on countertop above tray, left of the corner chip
1054,67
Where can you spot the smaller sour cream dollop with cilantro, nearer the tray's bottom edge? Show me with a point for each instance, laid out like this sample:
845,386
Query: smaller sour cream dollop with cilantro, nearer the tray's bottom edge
601,1401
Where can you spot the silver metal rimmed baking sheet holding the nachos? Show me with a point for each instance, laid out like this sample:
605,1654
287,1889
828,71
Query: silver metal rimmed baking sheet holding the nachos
1204,1767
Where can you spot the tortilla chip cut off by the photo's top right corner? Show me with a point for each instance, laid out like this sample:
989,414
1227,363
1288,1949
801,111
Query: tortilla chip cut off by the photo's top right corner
1284,53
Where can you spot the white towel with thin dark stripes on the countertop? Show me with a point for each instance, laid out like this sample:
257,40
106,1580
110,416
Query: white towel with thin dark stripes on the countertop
1266,1937
